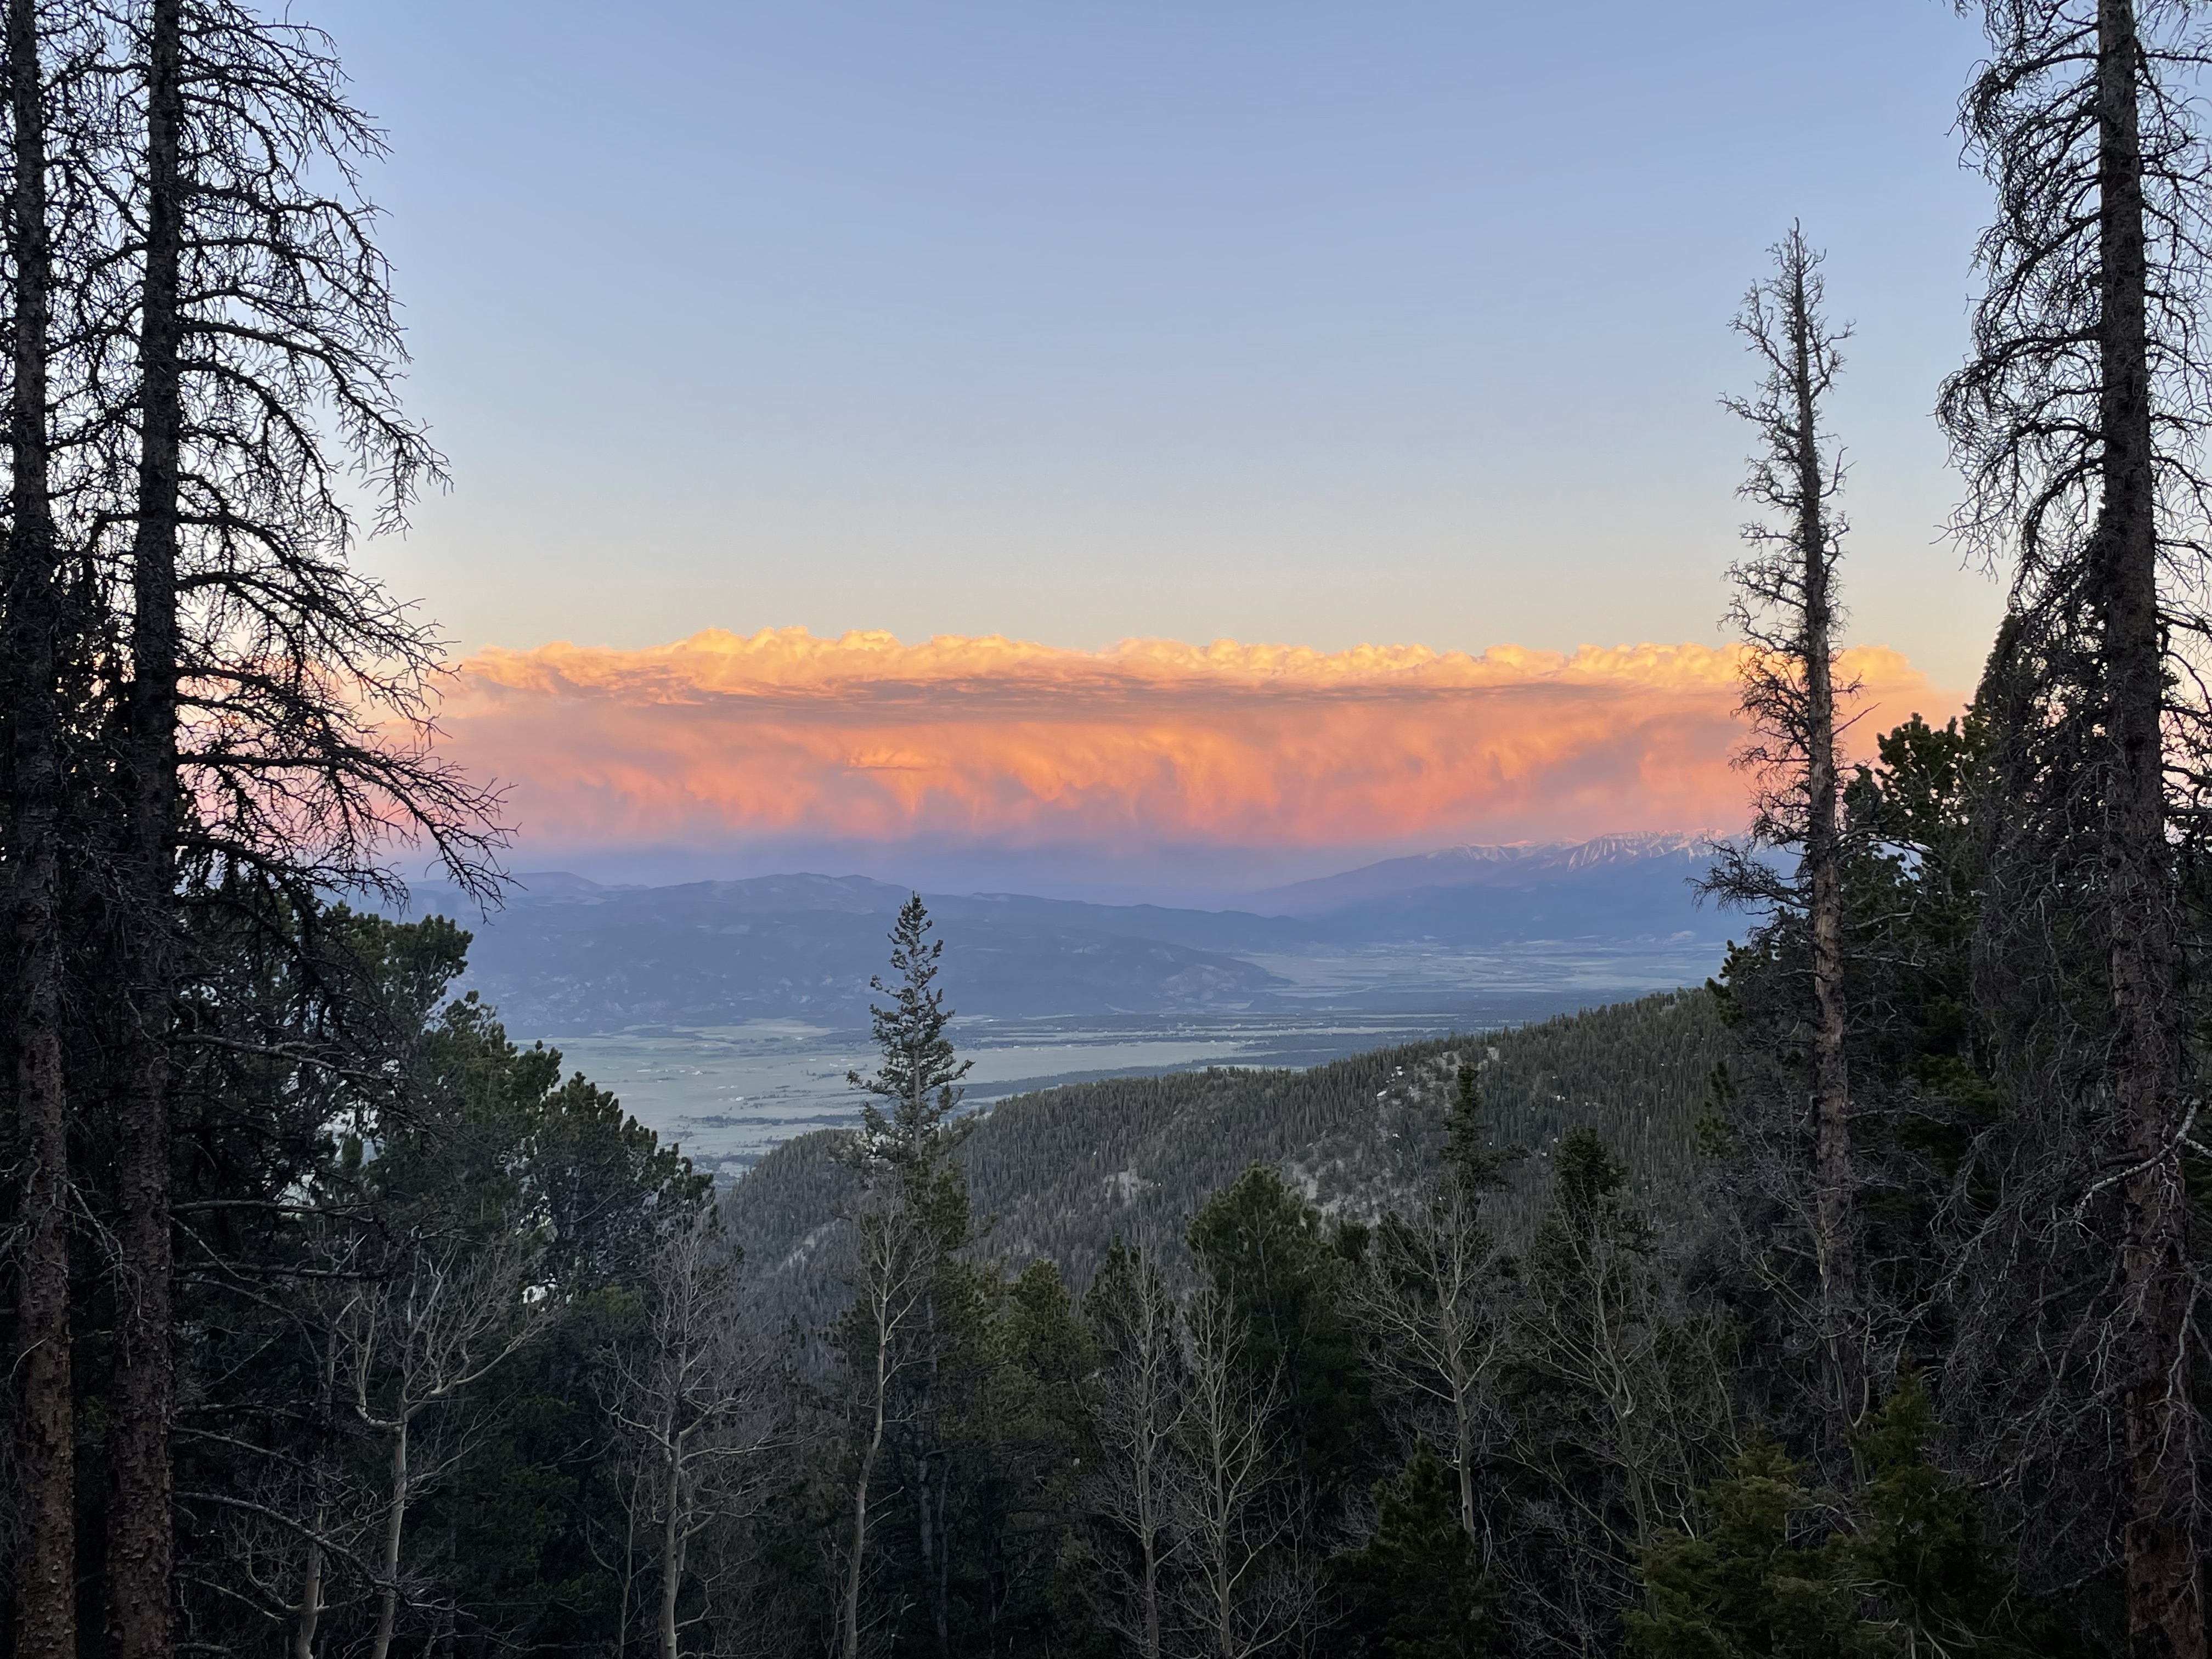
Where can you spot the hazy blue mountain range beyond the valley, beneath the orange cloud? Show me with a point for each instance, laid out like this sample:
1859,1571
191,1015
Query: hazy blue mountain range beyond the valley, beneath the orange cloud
570,957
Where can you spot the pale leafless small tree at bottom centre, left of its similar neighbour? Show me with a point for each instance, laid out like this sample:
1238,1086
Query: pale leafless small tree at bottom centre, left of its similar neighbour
1138,1412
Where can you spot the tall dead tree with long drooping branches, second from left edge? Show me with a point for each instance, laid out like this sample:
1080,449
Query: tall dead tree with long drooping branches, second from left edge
275,705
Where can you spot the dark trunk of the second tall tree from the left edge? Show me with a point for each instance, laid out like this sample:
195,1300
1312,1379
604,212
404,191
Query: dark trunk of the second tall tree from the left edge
143,1534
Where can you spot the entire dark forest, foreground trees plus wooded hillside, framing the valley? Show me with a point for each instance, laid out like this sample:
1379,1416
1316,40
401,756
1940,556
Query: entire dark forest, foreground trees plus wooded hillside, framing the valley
337,1324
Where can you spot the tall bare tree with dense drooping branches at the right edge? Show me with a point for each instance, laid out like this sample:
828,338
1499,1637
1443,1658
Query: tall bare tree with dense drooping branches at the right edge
2078,424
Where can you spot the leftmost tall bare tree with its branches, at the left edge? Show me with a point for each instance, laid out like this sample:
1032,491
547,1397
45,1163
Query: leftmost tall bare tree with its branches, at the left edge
54,136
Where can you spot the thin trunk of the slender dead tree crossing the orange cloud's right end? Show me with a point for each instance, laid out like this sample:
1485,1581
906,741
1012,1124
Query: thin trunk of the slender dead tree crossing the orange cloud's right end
1824,870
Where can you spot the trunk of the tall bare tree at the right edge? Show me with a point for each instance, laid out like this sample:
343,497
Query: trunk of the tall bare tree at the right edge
2164,1574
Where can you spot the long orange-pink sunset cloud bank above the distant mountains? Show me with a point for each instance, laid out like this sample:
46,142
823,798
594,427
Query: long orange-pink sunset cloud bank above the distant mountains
864,738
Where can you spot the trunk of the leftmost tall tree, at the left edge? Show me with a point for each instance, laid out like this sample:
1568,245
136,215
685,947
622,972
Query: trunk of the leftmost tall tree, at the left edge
45,1417
